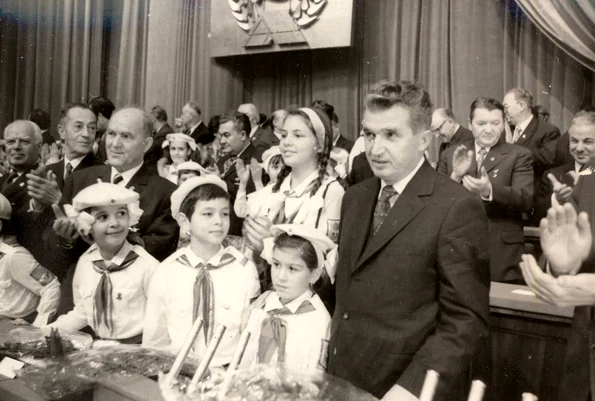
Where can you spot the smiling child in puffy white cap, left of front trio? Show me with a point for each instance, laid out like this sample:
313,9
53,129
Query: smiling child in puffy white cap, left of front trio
112,277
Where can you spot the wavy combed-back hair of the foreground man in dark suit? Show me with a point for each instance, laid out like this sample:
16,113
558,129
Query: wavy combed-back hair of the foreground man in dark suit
409,95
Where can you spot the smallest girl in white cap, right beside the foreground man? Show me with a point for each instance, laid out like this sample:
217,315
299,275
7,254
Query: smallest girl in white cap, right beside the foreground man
290,325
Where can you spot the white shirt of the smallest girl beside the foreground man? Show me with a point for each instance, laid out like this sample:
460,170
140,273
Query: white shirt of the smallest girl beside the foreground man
307,333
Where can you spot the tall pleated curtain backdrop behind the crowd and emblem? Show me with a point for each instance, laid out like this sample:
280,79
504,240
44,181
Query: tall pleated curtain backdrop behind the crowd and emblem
157,52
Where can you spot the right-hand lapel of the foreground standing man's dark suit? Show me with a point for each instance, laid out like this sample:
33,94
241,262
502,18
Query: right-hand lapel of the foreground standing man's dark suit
408,206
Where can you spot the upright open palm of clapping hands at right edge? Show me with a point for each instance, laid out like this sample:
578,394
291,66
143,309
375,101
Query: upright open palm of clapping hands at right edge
565,238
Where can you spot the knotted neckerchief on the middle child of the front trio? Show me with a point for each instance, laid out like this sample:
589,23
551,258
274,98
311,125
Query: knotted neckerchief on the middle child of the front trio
204,299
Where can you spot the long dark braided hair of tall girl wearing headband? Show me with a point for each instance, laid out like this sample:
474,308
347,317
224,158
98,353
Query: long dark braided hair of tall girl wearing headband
323,157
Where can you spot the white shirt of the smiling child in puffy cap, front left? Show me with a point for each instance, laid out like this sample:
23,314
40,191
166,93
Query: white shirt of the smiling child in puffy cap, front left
129,300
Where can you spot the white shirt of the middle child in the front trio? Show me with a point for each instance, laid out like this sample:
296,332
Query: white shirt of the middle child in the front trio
171,300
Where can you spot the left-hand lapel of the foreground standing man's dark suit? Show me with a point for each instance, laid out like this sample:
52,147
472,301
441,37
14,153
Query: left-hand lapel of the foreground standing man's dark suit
359,230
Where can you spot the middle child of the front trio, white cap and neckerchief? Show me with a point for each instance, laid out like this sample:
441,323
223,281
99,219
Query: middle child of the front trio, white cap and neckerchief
203,280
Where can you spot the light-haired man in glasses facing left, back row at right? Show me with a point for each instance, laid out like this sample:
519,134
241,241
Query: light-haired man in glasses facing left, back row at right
537,135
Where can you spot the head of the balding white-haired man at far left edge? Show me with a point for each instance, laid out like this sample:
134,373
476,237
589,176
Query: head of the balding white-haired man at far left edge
23,141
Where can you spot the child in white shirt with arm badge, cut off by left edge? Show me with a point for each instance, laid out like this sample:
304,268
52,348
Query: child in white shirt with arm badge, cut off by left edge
26,287
